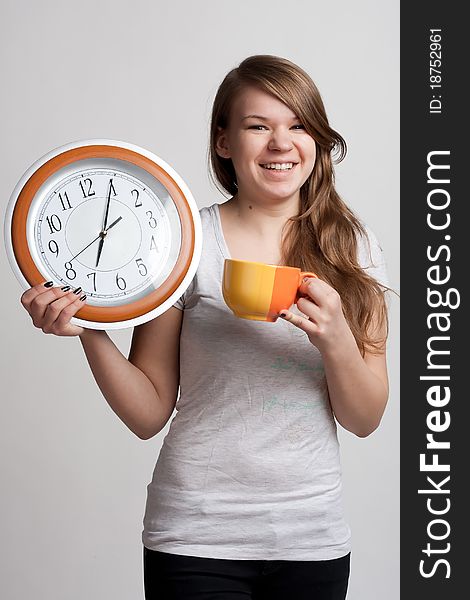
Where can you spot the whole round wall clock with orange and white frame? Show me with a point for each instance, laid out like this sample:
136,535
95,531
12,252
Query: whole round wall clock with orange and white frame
109,217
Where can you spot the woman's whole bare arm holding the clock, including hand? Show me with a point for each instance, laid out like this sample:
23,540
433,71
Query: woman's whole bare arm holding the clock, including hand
141,390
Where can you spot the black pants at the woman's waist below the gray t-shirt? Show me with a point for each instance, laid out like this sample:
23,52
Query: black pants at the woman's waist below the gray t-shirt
179,577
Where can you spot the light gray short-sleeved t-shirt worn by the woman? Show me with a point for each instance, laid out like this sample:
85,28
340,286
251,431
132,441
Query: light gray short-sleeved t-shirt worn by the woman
250,467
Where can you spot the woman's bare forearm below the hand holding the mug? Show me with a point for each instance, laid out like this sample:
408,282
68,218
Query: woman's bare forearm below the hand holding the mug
358,396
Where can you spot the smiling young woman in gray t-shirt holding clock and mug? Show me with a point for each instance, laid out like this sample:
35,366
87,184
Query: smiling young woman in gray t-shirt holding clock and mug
245,499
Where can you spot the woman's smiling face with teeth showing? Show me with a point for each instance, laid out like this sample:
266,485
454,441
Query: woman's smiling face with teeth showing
272,154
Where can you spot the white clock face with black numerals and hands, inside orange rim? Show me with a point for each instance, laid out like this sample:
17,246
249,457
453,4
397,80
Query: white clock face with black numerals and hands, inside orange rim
107,227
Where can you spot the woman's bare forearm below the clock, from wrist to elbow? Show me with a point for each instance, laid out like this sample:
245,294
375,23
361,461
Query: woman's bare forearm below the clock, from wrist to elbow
127,390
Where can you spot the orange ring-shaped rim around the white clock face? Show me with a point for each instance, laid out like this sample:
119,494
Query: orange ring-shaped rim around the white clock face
109,314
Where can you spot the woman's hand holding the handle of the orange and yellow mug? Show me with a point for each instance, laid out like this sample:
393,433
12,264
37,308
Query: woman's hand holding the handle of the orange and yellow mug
324,324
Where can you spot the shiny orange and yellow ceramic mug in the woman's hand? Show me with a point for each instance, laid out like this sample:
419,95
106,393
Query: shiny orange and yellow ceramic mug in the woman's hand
258,291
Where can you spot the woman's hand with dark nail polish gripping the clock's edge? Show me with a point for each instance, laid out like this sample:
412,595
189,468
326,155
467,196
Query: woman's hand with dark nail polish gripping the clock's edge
51,308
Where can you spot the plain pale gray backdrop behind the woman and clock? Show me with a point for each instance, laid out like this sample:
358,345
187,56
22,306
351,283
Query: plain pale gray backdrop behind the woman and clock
73,477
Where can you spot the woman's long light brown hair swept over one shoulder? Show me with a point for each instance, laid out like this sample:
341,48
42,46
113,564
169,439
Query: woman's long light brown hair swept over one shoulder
323,237
